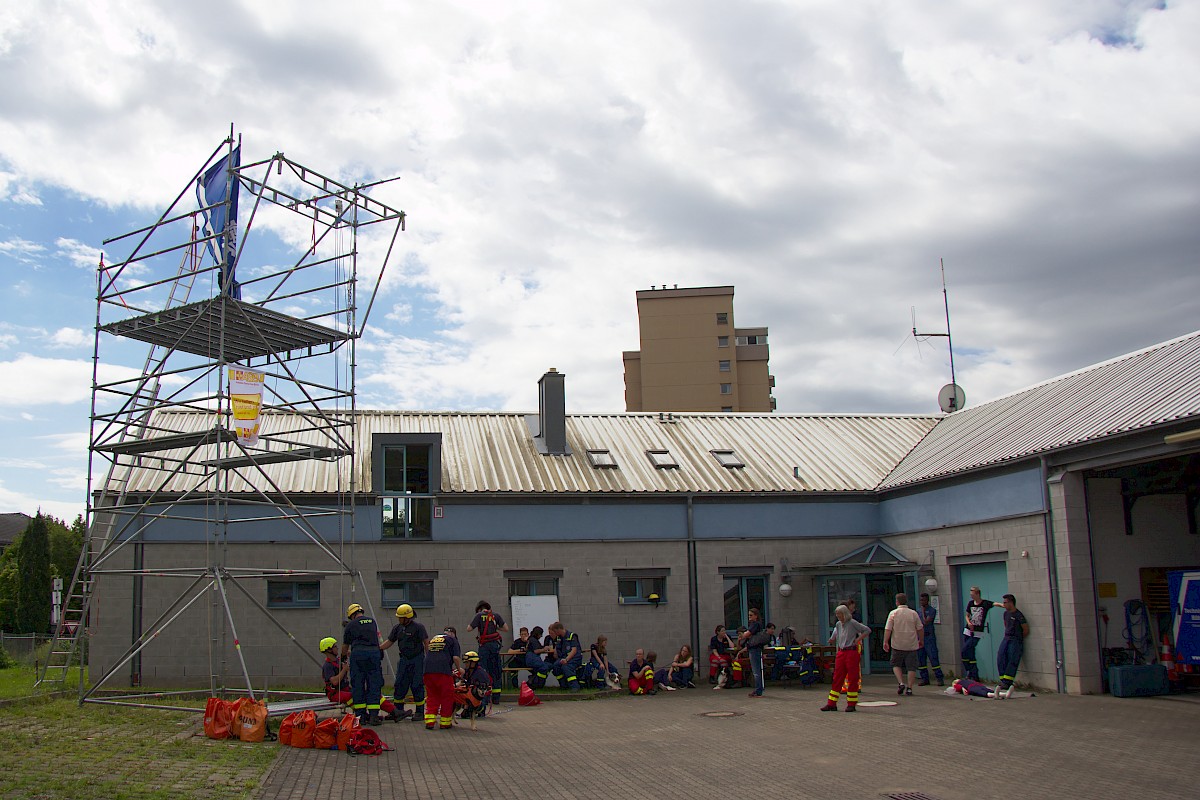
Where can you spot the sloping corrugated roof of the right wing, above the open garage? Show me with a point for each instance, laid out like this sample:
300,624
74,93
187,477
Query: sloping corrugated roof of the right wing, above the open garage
1136,392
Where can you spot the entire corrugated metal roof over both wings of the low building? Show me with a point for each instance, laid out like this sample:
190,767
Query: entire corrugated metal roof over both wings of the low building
495,453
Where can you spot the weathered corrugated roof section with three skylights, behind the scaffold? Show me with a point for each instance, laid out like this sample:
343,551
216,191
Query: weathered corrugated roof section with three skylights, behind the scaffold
485,453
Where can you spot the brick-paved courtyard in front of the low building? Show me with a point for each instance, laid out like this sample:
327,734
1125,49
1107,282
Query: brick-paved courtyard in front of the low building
703,744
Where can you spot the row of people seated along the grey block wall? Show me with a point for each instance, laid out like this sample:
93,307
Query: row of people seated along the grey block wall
559,653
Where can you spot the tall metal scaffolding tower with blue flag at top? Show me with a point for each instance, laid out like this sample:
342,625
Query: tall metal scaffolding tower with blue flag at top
165,449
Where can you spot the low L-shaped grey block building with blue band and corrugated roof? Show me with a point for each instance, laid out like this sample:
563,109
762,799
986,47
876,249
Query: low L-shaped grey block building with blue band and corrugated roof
1078,496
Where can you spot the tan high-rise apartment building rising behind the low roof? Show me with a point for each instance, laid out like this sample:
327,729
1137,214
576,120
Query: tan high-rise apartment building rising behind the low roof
693,358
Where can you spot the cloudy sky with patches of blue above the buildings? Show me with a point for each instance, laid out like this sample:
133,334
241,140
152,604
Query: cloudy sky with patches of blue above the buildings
555,159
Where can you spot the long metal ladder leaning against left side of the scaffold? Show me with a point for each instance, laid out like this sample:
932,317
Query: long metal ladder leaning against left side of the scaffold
71,629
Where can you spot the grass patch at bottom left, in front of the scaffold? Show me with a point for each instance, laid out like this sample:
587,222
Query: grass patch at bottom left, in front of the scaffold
63,750
